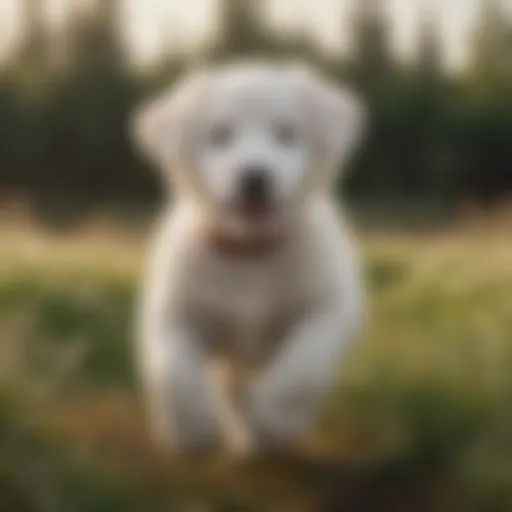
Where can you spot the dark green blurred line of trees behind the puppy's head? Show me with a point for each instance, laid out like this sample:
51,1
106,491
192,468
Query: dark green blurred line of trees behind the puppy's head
64,116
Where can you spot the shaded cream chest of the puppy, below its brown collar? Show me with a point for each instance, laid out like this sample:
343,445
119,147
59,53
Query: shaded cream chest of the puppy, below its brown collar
242,310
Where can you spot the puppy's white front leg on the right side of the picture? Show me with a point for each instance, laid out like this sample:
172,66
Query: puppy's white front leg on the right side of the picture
287,396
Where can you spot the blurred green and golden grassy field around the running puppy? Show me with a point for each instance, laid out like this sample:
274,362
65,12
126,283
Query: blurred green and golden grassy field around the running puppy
421,418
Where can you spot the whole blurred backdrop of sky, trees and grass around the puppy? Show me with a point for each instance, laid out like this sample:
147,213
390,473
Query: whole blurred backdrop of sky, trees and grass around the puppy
421,418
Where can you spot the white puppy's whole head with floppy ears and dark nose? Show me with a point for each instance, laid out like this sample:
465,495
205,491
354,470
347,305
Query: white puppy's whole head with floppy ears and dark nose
252,142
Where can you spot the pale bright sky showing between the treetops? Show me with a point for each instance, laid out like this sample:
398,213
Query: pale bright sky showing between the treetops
152,25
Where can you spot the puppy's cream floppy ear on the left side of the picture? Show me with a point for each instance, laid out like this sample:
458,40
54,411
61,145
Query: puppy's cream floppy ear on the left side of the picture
162,125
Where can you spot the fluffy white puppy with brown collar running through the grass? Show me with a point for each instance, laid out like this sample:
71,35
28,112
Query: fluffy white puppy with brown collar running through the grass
252,268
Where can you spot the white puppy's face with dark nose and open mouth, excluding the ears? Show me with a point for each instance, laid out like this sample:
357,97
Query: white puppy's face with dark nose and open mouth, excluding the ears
253,144
